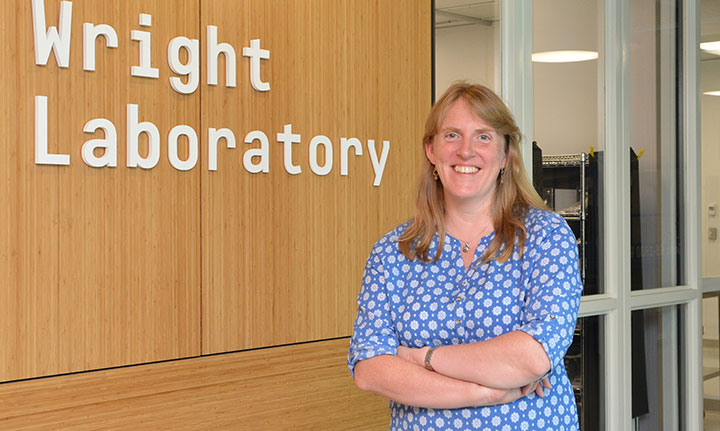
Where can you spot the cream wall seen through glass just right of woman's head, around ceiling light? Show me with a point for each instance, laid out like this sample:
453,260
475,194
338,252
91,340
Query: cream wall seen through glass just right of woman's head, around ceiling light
566,95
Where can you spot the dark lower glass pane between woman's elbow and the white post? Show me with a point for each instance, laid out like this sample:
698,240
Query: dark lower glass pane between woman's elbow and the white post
583,362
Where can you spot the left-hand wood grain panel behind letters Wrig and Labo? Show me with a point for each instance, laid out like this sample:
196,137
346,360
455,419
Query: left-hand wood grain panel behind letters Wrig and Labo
102,264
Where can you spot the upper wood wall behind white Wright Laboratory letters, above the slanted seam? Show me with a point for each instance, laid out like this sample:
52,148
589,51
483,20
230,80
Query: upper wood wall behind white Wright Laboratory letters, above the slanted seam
110,266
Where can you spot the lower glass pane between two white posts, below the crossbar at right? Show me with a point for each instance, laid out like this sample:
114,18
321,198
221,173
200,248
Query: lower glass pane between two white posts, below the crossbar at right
656,359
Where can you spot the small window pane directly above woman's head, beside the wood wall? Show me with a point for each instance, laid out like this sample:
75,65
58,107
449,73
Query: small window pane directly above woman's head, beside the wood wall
467,43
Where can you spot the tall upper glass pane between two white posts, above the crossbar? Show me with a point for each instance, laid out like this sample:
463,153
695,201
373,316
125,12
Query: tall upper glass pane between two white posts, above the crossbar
655,153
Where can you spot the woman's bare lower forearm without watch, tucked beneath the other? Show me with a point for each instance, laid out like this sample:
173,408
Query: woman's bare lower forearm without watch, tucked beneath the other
407,383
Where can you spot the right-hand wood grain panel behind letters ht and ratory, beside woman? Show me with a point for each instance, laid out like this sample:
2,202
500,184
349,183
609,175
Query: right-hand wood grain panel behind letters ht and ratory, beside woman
283,254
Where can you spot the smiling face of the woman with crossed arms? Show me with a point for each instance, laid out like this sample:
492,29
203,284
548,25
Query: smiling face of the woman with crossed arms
468,155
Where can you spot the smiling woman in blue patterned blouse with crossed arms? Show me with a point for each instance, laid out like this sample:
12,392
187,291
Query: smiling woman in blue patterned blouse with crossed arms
466,309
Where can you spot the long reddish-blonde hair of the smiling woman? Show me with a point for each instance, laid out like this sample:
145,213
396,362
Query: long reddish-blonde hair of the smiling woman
514,193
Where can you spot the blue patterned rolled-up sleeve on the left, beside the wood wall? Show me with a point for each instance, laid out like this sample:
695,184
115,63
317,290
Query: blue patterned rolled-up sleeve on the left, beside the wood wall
373,332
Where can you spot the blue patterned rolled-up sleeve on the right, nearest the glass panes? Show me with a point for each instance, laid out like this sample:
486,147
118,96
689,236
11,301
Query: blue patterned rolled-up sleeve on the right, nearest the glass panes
553,292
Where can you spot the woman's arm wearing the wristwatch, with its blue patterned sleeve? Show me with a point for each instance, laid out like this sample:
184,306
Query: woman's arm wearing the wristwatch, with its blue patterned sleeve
549,315
